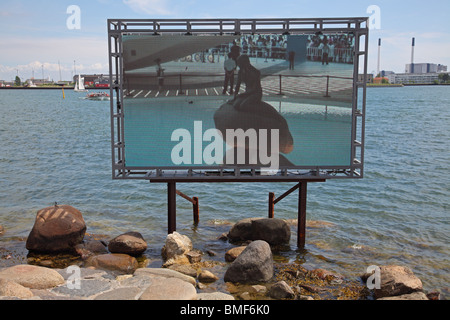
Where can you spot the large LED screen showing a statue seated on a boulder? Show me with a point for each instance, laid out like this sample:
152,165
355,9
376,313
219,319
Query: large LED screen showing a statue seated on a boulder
266,101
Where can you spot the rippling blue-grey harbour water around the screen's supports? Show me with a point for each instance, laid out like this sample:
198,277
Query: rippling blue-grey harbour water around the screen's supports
59,150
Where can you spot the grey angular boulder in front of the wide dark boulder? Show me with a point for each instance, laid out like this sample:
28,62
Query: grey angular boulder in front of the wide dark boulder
254,264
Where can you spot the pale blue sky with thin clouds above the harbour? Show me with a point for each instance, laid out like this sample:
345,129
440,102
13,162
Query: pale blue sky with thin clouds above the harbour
42,37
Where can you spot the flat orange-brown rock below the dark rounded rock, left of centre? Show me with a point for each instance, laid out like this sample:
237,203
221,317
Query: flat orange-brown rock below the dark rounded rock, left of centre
115,262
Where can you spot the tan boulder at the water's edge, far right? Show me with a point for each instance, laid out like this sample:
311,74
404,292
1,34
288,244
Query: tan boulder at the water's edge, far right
396,280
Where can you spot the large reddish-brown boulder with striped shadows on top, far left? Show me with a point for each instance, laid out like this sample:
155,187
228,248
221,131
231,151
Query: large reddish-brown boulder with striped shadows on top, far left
56,229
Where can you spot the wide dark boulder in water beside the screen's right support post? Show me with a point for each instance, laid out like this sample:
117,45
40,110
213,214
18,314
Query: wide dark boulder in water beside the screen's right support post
273,231
